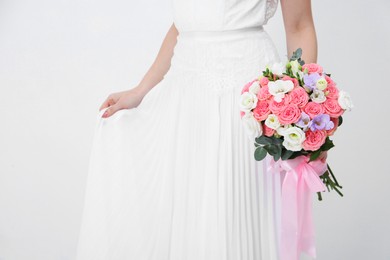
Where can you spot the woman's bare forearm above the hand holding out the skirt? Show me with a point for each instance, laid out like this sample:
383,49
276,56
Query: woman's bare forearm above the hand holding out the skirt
161,64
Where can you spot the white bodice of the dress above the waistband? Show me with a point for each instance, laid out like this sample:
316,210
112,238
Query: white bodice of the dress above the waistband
218,15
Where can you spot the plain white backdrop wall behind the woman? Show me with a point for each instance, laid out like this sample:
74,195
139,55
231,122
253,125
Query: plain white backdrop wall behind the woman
60,59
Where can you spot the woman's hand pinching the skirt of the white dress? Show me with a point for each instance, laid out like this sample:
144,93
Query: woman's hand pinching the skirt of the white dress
121,100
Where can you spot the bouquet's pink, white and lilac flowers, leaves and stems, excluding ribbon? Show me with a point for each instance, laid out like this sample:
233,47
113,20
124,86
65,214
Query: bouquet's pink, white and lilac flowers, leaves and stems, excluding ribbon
293,109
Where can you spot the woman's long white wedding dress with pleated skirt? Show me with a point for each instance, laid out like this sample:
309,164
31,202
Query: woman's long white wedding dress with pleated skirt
175,178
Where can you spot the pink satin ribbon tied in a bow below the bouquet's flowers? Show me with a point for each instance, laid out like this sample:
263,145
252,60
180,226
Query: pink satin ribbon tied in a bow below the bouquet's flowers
299,184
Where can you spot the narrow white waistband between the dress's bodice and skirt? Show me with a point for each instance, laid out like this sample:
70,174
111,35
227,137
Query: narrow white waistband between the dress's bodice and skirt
213,34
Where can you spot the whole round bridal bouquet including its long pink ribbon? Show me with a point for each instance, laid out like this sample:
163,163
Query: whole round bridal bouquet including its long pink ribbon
291,111
